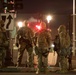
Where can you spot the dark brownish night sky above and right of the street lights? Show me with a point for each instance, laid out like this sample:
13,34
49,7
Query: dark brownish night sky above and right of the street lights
60,10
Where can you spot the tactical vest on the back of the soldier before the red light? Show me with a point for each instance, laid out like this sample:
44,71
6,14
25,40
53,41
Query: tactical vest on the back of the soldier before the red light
42,39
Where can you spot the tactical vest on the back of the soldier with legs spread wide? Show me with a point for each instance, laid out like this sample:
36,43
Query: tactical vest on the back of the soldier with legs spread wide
25,35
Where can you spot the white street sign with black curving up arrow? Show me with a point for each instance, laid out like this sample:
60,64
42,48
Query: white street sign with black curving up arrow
9,20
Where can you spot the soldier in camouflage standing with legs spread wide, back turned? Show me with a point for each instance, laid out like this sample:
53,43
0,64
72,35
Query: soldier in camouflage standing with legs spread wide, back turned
24,41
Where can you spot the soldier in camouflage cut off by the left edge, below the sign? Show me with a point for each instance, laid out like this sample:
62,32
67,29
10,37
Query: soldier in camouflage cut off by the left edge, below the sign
3,43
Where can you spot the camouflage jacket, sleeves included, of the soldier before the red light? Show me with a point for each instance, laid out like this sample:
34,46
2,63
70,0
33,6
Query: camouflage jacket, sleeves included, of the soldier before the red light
43,39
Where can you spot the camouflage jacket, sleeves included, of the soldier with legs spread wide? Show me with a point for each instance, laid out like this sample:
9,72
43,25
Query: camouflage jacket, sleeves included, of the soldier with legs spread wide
23,34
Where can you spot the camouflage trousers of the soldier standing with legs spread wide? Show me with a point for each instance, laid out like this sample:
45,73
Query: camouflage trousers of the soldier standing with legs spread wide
20,55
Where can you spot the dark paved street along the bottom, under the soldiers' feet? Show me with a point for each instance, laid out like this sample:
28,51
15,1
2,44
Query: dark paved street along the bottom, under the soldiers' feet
30,71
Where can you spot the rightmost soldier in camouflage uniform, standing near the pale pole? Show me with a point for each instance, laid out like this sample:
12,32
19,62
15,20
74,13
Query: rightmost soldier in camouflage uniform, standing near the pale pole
64,47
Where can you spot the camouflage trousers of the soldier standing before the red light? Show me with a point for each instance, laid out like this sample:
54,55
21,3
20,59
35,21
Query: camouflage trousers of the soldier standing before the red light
42,60
